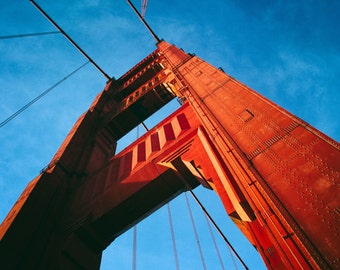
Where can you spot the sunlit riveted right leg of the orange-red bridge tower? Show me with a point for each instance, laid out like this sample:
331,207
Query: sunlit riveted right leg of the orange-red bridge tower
287,171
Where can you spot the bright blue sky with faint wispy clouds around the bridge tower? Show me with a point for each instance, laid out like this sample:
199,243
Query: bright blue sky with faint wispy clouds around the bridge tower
289,51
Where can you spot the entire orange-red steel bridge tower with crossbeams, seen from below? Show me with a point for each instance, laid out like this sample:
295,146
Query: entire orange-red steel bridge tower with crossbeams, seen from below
277,177
